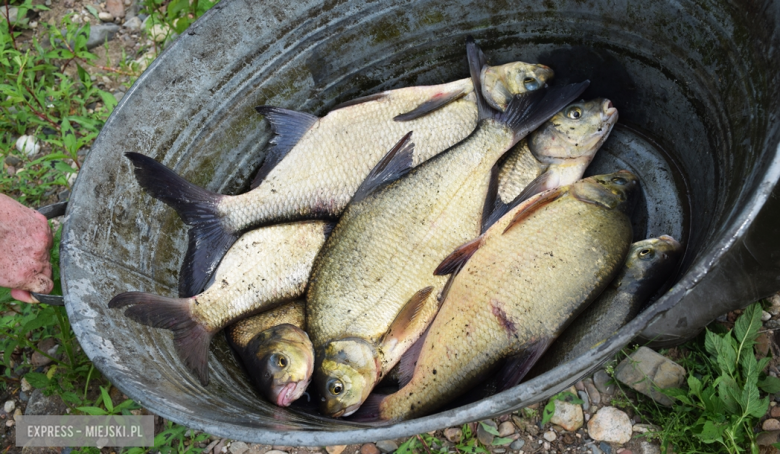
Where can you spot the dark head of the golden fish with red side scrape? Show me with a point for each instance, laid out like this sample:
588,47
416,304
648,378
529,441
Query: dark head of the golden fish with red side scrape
618,190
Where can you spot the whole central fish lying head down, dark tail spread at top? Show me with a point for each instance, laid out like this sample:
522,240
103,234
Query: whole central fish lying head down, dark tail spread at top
372,291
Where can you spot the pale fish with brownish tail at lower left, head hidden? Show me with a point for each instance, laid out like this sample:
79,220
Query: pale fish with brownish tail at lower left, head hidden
265,268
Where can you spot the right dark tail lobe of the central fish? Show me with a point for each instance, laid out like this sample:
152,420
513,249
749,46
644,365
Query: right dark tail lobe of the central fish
527,111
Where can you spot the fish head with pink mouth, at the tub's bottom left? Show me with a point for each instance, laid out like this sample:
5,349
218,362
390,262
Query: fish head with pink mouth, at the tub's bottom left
280,361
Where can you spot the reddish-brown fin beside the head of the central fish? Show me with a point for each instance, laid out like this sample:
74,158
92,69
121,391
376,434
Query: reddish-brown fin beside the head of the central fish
408,326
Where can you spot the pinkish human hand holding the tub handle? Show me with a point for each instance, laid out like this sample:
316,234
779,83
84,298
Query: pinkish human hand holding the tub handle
25,240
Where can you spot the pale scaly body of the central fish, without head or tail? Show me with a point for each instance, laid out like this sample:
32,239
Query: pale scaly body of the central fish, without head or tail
397,258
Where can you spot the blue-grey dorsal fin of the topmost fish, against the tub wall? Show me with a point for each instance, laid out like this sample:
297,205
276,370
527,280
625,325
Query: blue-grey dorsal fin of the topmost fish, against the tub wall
289,126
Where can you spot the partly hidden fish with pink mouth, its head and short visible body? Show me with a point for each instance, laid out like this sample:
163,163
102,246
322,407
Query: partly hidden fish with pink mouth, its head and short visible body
276,352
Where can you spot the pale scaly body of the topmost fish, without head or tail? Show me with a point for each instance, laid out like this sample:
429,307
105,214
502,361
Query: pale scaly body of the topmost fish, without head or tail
323,183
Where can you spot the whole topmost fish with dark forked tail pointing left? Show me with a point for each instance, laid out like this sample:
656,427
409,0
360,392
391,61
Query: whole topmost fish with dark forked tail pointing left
325,160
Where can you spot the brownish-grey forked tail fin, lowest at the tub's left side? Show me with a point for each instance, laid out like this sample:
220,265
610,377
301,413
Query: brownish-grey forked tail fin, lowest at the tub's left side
190,338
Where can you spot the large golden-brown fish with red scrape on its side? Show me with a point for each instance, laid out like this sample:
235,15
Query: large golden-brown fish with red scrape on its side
562,247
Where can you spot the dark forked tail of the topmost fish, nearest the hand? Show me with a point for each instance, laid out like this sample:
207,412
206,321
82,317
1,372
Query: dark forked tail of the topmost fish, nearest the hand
209,240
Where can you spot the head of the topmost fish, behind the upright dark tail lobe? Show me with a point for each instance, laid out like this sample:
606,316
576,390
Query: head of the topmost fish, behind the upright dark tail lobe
501,83
